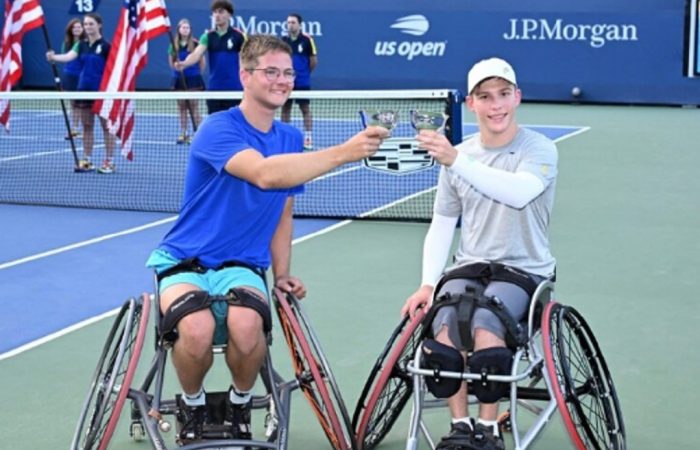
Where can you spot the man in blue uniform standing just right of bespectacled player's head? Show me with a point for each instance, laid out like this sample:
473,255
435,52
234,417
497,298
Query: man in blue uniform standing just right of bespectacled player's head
304,57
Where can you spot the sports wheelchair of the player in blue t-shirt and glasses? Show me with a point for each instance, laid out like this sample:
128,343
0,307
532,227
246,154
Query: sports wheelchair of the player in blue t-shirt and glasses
112,385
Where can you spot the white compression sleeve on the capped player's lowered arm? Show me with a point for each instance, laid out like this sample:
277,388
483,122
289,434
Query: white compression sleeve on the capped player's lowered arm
436,247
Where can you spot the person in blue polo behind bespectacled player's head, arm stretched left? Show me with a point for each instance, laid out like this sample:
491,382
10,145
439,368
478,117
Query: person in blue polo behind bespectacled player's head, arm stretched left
223,45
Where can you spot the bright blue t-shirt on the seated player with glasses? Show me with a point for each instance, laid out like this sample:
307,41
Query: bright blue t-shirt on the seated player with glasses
222,217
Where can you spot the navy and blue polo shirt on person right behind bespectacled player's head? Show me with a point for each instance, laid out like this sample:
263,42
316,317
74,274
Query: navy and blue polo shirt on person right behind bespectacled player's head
223,50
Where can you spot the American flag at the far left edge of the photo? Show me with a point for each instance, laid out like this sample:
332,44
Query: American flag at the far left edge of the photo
20,17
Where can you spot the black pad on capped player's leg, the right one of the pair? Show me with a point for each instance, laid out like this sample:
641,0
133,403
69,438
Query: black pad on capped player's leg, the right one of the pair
490,361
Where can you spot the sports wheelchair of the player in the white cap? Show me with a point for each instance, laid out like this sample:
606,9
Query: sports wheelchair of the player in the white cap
556,364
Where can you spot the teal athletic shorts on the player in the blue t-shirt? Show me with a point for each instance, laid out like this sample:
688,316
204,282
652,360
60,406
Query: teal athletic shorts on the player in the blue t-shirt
212,281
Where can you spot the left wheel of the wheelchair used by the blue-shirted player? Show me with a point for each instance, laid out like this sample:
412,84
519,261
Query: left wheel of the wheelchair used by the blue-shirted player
112,379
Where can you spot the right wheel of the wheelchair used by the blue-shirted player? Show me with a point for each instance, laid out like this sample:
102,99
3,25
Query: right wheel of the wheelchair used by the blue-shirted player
313,372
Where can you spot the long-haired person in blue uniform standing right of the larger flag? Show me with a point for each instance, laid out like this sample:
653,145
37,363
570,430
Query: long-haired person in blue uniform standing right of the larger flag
189,79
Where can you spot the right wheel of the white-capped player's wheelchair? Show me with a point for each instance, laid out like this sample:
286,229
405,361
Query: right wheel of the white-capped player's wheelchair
581,381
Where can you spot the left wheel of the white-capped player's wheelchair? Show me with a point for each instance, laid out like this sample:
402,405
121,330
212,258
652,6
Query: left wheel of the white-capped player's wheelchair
389,386
